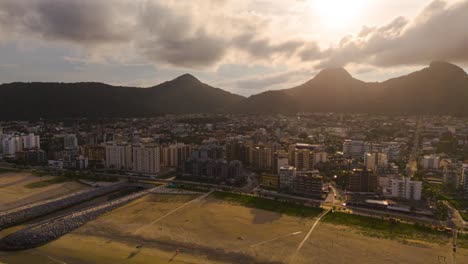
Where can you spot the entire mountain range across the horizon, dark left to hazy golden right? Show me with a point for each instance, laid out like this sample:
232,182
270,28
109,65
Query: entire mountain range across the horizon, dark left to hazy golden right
441,88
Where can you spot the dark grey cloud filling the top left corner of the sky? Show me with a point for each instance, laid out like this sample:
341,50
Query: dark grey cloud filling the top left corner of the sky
83,22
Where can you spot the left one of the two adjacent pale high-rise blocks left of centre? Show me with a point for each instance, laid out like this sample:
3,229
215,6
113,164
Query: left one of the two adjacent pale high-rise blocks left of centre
119,156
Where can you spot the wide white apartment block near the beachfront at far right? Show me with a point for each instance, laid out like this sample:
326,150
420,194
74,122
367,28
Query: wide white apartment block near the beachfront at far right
401,187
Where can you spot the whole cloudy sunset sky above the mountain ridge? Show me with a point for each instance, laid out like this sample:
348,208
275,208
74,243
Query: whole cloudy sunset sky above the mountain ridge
242,46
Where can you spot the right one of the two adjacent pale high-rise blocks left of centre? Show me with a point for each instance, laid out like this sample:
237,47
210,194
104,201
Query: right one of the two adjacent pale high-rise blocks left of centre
146,159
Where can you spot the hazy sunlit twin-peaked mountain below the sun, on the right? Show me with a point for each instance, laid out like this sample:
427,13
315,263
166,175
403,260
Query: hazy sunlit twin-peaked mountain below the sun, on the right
438,89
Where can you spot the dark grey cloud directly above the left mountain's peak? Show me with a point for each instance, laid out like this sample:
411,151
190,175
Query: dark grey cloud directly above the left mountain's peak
172,38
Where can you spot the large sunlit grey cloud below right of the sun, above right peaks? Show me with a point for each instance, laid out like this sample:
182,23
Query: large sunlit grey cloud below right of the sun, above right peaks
438,33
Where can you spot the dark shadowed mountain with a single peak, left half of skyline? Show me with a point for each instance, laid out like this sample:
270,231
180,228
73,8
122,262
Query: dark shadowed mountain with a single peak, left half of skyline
185,94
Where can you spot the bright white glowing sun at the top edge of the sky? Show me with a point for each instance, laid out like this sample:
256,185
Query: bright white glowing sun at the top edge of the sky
337,14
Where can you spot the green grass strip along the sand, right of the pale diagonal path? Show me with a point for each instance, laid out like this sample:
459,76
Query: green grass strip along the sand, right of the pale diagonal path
387,229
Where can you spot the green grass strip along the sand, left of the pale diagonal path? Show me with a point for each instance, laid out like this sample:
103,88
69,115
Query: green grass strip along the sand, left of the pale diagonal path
270,205
